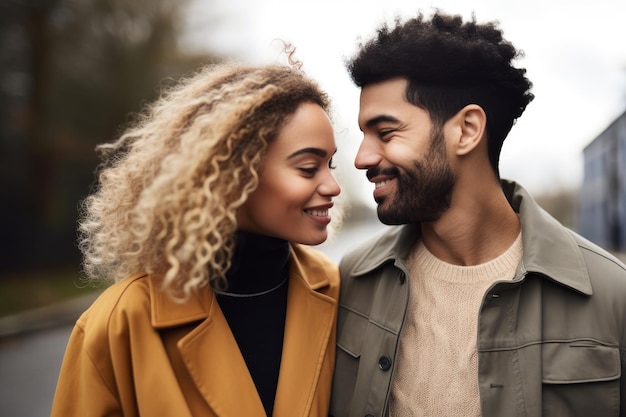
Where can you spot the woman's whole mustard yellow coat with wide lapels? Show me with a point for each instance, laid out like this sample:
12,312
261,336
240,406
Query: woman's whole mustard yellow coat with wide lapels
135,352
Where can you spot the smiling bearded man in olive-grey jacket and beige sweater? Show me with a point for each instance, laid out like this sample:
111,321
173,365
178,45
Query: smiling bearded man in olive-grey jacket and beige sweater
480,303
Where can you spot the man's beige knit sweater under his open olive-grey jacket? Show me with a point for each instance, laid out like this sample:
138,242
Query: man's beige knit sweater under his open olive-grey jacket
437,365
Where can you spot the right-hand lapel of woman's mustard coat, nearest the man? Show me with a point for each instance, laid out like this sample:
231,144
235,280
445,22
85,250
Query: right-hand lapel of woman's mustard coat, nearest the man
310,320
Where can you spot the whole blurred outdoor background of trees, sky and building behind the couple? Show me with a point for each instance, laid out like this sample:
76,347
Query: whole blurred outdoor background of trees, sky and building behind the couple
72,72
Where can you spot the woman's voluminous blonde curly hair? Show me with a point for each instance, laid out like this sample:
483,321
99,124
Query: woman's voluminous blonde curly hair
170,186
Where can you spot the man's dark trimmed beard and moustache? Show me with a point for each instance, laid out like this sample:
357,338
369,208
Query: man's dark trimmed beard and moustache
422,193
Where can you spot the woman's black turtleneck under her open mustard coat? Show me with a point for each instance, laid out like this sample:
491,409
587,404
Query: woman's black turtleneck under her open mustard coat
255,305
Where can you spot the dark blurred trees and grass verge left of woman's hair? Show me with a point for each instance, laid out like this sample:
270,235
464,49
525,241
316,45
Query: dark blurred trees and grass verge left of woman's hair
71,73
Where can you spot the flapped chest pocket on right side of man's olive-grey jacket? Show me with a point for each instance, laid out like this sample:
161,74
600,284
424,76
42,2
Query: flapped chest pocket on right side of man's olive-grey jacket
580,378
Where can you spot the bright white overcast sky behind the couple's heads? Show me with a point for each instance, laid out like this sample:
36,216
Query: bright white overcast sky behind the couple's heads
575,55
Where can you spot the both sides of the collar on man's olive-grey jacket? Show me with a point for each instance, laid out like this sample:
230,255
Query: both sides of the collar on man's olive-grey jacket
550,249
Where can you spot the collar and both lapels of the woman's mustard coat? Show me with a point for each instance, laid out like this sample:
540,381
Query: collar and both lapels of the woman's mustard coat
214,361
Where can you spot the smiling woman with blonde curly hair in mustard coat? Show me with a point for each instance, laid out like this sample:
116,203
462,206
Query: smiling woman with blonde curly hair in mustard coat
199,217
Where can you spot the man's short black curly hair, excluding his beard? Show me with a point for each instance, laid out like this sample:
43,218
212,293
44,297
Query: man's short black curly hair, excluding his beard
449,64
